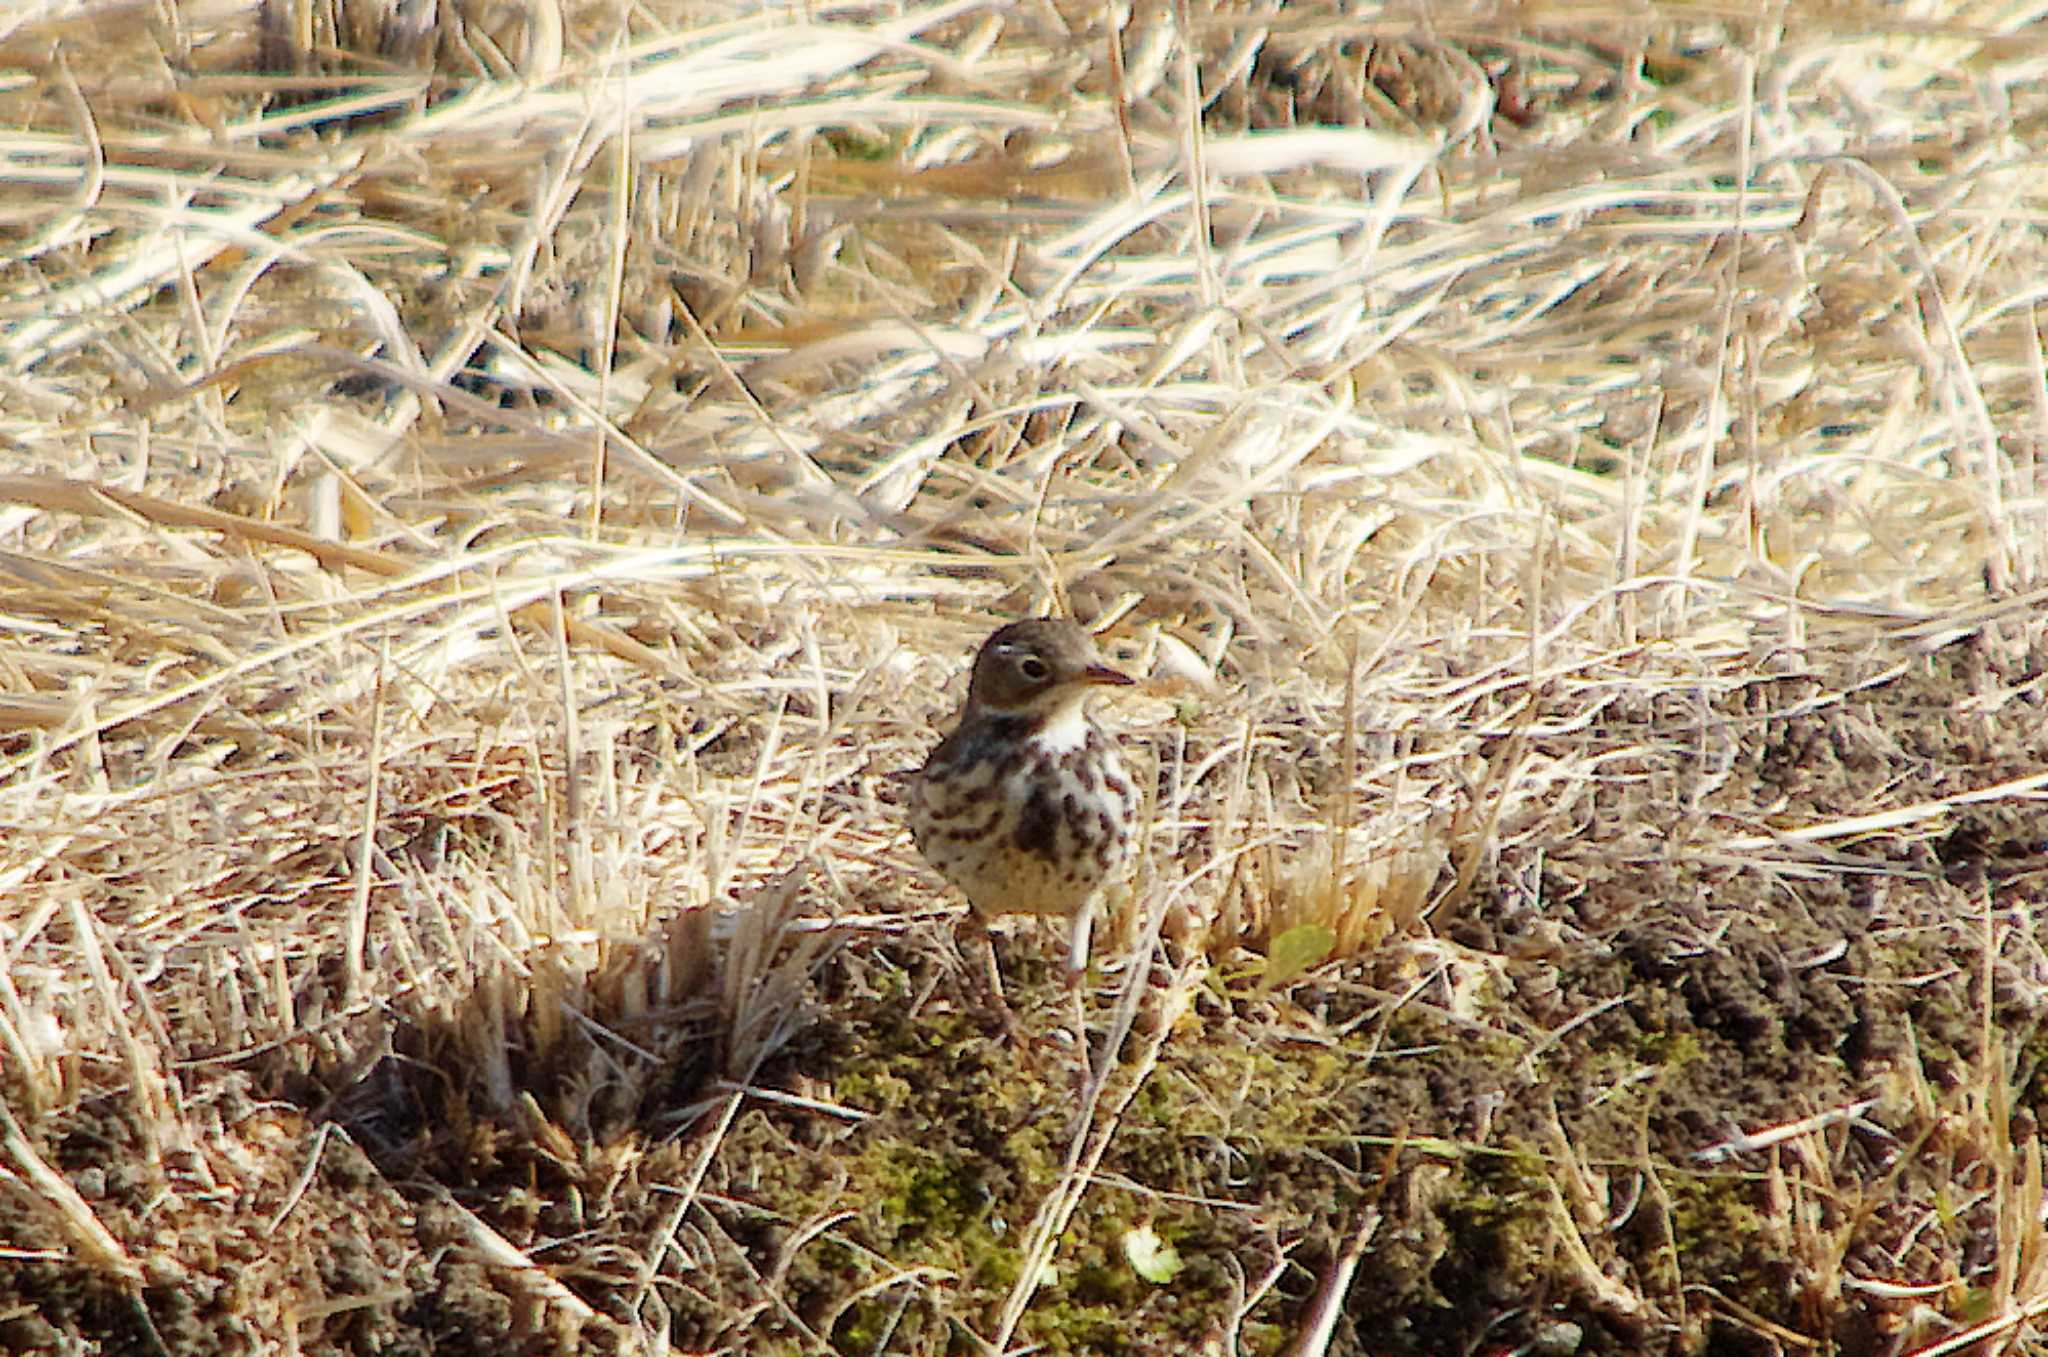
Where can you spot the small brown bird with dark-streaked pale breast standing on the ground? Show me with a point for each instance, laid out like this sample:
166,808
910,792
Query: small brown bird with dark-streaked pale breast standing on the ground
1027,807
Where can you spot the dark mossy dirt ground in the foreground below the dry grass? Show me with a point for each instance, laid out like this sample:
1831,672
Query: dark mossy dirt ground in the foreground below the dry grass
1527,1119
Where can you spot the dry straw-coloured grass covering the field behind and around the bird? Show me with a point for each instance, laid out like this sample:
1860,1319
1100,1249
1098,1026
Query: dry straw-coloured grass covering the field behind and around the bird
497,496
